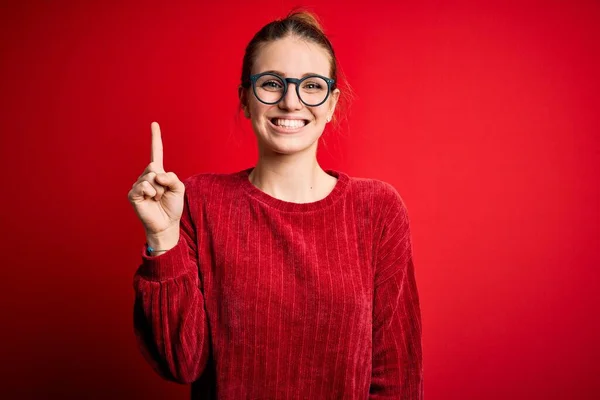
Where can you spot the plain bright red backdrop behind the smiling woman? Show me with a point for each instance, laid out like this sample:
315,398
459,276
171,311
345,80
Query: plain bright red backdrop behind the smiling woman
484,115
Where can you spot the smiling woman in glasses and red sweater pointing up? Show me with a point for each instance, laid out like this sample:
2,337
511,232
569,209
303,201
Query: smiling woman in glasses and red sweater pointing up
282,280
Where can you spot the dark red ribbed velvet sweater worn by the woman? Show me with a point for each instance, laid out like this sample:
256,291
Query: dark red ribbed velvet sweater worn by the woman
267,299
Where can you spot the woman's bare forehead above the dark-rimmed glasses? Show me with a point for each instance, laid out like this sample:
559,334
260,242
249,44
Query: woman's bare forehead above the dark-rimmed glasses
292,56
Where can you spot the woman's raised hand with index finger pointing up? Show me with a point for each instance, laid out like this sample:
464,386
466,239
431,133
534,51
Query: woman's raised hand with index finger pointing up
157,197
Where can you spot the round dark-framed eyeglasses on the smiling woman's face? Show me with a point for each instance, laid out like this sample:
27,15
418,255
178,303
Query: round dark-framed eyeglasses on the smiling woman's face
270,88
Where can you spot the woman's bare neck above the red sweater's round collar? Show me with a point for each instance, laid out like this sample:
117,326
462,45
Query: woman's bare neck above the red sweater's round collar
296,178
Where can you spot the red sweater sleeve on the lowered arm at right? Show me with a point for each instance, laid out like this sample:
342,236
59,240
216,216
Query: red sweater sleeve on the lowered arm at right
397,370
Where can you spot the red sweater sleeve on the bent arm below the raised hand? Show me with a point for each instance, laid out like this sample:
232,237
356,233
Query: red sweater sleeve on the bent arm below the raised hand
170,322
